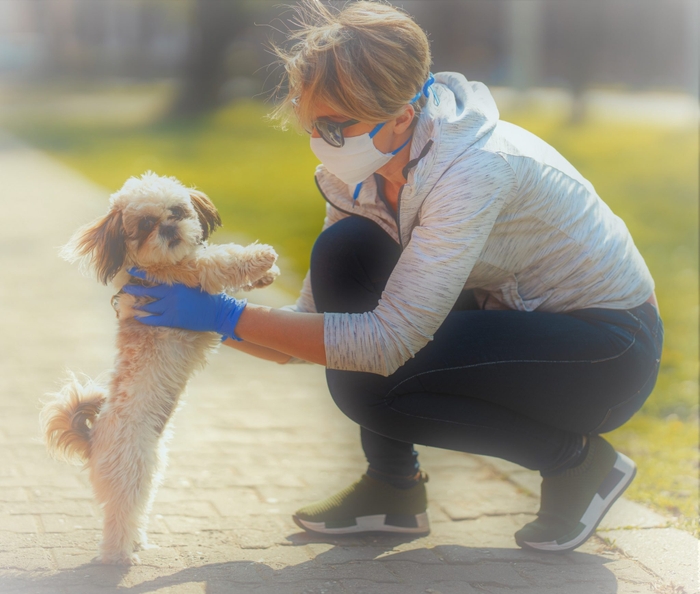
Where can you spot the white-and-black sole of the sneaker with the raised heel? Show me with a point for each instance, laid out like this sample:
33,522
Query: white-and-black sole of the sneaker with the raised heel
614,485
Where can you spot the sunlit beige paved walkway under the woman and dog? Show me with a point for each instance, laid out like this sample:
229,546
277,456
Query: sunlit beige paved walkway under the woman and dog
253,442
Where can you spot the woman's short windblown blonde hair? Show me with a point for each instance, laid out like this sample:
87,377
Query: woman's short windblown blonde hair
367,61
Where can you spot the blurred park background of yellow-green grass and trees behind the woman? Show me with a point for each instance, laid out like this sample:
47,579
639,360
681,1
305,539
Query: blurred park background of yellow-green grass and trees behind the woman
116,87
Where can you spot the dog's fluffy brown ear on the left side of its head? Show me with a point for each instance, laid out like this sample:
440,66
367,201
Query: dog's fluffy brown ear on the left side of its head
100,245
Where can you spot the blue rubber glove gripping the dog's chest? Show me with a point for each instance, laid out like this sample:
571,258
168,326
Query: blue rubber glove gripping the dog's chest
179,306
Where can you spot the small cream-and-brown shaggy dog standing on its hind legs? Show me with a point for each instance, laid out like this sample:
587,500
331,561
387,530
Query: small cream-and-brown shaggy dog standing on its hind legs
119,428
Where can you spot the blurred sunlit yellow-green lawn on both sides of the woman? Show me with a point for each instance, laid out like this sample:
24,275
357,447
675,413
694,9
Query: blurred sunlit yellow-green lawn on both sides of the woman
262,181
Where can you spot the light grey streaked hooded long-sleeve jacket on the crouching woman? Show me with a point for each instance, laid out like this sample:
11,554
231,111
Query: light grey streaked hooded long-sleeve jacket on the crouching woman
488,206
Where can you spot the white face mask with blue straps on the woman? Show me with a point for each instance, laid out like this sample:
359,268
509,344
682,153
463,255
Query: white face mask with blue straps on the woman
356,160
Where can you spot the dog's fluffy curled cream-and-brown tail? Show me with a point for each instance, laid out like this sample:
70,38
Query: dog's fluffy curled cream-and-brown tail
68,417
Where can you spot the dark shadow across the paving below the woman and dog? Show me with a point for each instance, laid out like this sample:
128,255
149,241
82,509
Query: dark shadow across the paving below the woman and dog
360,565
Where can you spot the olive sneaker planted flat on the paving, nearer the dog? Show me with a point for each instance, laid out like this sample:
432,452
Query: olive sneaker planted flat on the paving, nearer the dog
369,505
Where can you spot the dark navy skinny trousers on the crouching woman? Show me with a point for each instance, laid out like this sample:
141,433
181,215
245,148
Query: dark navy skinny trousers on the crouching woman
523,386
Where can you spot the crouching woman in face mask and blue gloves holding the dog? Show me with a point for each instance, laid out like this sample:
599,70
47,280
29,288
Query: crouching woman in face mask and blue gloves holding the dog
469,289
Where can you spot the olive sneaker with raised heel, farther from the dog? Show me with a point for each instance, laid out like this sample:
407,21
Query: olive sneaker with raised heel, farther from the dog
573,503
